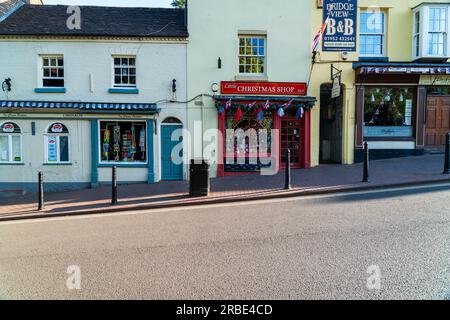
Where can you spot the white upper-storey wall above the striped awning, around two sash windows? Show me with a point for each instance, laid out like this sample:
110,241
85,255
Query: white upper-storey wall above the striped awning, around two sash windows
157,65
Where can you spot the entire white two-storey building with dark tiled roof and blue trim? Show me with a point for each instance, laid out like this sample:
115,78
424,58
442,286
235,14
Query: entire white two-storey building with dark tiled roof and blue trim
75,102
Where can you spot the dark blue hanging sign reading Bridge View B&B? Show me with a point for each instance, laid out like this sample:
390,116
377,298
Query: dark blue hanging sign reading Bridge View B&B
341,31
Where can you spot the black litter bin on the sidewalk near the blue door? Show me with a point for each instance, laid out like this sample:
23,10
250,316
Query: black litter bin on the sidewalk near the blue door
199,178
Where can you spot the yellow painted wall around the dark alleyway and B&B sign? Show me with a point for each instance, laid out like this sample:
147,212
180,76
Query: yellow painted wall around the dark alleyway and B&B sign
399,25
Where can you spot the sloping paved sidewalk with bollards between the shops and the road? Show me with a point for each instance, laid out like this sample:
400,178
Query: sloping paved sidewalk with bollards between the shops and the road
322,179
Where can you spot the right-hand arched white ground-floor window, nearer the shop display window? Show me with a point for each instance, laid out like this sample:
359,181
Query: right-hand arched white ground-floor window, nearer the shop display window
57,143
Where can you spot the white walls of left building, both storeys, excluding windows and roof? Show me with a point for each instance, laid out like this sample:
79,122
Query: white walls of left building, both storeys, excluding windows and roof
157,64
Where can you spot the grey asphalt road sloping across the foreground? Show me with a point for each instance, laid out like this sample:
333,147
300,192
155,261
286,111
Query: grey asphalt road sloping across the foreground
313,248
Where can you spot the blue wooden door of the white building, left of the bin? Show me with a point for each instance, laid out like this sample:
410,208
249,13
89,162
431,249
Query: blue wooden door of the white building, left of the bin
170,170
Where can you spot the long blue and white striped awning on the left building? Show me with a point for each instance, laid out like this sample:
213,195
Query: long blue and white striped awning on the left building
83,106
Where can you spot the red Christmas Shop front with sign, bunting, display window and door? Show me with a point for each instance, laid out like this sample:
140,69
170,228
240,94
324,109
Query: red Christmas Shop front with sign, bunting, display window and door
259,129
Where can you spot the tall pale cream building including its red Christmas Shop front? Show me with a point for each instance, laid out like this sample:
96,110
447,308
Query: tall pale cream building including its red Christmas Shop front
248,68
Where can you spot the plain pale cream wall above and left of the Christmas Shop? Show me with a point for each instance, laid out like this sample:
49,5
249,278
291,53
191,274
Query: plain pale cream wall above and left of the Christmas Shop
214,27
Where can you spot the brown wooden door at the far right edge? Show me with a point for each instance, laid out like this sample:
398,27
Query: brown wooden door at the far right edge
438,121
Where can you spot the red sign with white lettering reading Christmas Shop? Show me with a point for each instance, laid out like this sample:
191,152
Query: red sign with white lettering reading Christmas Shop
264,88
